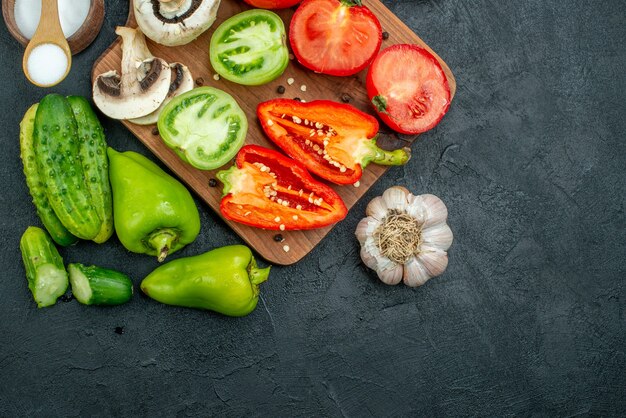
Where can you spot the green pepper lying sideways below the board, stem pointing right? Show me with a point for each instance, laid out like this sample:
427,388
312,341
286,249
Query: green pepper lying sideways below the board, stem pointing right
224,280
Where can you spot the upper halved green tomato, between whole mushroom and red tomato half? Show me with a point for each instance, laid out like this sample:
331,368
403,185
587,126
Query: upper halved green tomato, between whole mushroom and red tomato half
250,48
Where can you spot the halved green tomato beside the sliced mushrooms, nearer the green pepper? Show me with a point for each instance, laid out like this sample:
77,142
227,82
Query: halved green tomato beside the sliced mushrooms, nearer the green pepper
205,127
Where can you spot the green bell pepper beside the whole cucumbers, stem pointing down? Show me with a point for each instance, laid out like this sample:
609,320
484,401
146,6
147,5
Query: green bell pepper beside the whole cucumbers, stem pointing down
153,213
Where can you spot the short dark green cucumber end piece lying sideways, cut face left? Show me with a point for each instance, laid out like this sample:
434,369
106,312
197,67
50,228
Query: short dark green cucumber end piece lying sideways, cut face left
99,286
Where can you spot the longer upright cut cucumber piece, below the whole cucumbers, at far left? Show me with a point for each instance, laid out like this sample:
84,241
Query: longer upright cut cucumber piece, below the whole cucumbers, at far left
47,278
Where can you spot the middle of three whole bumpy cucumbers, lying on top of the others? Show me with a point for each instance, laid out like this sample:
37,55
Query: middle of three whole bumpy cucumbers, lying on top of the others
56,151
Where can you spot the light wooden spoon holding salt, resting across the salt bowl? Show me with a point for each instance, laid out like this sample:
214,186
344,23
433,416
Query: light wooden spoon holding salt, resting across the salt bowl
48,32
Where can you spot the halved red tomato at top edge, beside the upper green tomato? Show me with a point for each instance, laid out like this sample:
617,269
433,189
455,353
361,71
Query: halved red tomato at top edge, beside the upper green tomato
334,37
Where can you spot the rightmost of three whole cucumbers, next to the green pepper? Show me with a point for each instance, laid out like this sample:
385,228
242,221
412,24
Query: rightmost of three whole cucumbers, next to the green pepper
93,157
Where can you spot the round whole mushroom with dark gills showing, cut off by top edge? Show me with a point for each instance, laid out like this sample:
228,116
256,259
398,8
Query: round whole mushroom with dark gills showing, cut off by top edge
175,22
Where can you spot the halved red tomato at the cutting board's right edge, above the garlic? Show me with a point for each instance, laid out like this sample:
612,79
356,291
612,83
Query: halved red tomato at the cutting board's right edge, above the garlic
408,88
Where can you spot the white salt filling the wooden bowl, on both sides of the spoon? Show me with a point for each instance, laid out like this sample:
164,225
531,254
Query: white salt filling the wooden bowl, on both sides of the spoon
72,14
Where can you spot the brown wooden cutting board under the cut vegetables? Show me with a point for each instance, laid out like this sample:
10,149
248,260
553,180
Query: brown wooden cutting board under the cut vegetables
196,56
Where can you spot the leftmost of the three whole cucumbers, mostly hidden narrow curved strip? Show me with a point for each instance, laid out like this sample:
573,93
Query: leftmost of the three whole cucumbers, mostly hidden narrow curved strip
36,185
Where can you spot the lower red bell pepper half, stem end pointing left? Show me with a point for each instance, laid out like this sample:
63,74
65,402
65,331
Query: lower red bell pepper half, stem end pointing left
268,190
